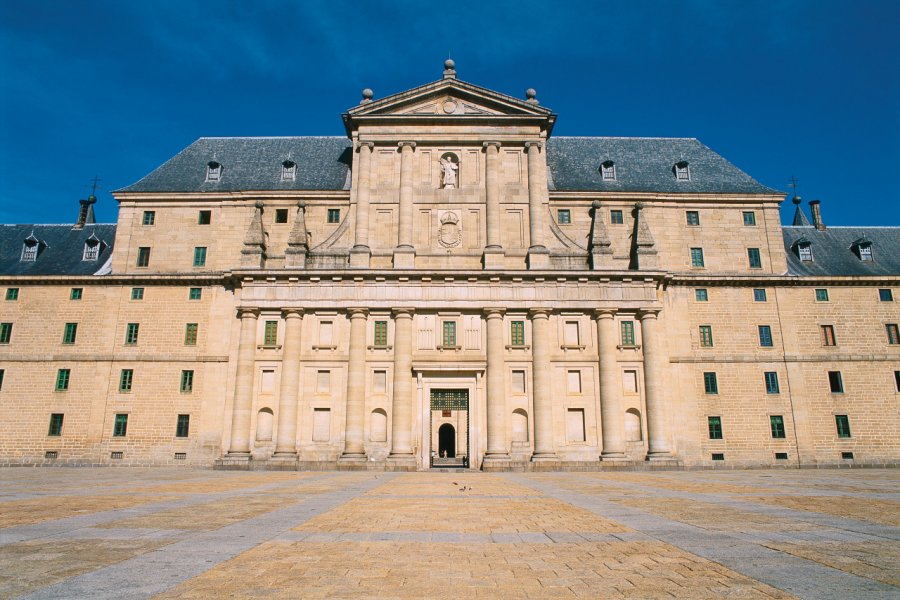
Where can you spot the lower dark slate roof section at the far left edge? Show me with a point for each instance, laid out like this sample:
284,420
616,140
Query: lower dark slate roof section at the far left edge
61,249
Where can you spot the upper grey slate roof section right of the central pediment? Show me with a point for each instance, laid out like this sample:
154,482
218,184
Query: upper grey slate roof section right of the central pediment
644,165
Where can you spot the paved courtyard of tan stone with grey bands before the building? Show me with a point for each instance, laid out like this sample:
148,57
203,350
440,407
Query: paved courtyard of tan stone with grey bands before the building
179,533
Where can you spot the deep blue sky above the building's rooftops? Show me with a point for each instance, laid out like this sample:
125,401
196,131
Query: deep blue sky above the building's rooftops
806,89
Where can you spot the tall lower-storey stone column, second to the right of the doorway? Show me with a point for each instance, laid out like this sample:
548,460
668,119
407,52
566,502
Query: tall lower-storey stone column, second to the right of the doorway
543,396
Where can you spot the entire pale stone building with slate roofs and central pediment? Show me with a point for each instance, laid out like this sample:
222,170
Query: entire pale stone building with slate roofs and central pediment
449,285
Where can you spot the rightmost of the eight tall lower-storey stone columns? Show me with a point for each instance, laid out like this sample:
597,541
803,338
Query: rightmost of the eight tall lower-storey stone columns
654,388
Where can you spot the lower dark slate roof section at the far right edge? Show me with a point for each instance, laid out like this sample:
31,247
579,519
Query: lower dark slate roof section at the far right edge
833,253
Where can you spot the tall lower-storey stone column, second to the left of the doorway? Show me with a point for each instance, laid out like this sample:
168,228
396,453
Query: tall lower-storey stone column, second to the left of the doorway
354,448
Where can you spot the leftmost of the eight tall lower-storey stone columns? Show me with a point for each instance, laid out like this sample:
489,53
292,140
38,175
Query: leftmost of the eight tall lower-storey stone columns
243,387
